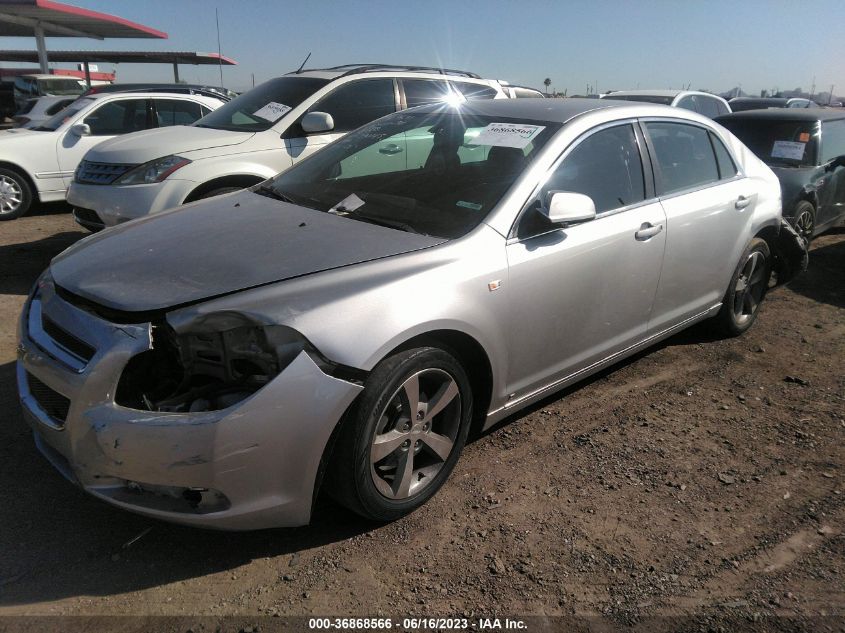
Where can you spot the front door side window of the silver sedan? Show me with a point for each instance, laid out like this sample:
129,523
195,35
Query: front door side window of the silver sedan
605,166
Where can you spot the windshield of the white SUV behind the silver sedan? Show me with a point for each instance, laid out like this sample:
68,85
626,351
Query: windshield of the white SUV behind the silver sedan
259,108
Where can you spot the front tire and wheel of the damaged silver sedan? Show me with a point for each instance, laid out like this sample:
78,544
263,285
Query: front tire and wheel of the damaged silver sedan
369,472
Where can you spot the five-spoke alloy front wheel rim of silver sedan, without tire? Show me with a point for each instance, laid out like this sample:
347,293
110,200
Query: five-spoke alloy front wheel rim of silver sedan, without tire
415,434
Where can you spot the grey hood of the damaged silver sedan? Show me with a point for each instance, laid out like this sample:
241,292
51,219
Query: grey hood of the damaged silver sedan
216,247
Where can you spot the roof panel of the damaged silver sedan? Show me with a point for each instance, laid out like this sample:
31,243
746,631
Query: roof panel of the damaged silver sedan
552,110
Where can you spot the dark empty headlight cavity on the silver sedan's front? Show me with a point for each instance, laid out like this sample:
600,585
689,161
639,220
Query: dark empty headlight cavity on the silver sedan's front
223,359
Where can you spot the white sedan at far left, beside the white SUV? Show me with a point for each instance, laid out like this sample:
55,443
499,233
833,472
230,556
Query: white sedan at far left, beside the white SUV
37,164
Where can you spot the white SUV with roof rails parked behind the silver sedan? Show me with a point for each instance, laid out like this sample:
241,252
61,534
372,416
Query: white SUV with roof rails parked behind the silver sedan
255,136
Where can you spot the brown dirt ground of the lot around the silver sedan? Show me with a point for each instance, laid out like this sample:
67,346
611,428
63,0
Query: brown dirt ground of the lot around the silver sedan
701,479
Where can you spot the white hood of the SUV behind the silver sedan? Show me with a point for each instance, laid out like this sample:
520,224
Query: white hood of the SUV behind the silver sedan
146,145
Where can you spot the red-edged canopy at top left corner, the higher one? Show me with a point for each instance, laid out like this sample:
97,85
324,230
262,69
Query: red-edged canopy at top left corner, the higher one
43,18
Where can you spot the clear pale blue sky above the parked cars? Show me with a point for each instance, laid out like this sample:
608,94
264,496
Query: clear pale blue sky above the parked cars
608,44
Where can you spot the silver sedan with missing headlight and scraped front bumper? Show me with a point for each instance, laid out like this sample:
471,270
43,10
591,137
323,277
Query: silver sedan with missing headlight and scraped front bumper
340,328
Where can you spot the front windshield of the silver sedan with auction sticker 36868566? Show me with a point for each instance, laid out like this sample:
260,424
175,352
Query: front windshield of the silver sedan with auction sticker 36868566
435,173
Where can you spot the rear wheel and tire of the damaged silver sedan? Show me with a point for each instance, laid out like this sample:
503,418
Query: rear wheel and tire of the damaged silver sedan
747,290
